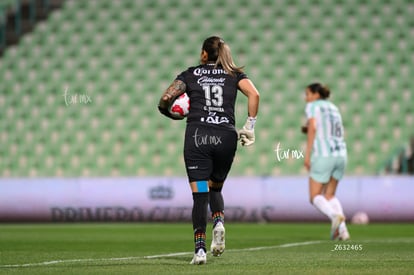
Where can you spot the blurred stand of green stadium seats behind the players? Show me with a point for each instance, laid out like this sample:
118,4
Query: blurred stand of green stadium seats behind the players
80,82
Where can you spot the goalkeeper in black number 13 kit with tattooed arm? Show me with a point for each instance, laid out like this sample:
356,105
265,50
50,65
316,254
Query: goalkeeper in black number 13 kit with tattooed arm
211,137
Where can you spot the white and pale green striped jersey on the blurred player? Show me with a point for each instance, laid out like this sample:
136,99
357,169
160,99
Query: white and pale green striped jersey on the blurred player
329,137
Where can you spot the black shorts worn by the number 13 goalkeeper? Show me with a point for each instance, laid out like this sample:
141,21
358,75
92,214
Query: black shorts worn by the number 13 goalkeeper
209,152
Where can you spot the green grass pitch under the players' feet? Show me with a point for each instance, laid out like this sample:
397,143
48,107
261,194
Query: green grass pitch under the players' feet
166,248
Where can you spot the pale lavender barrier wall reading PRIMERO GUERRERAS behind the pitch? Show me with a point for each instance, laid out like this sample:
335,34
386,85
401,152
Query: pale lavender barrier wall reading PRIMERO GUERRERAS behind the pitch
255,199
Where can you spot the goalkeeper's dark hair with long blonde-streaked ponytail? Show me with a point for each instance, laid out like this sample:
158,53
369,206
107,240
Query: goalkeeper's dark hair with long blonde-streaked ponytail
219,52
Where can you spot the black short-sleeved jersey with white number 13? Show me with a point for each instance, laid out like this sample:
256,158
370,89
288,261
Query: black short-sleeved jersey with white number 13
212,95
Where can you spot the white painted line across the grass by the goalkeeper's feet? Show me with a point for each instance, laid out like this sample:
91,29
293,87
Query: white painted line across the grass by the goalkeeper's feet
287,245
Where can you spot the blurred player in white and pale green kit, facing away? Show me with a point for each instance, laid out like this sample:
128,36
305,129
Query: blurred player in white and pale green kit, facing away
325,157
